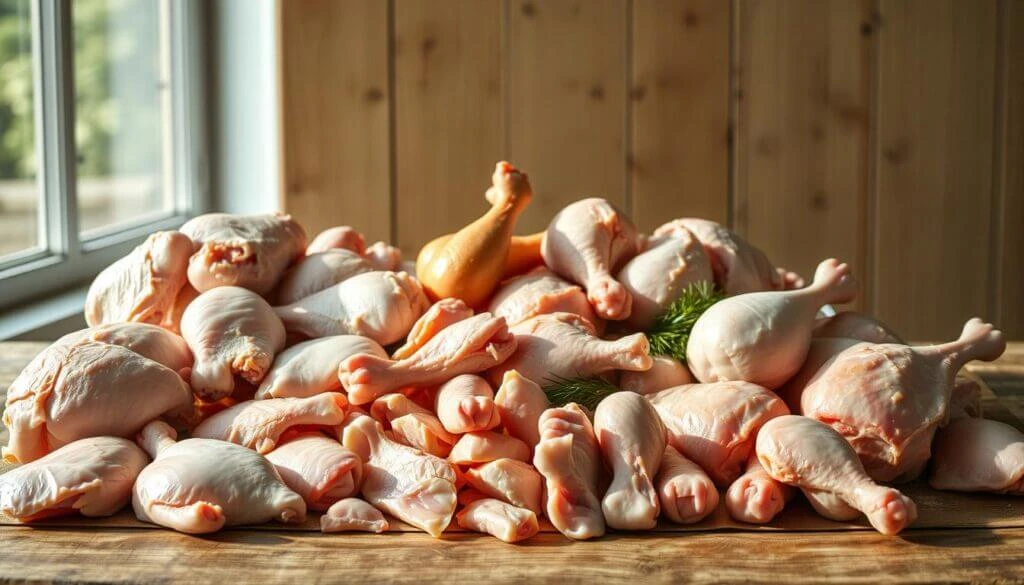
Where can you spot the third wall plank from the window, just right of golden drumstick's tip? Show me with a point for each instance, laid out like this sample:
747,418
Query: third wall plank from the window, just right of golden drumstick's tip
568,102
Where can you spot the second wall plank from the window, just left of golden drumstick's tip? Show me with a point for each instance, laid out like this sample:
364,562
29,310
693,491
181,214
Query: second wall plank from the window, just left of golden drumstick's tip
449,114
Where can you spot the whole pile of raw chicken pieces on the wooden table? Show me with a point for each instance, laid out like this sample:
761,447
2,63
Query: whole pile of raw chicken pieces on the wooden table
325,377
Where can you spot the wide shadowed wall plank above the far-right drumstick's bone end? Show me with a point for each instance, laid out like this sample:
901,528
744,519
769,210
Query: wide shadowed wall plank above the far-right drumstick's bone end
935,120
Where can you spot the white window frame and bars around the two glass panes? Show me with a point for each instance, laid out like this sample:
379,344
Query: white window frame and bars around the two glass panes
66,261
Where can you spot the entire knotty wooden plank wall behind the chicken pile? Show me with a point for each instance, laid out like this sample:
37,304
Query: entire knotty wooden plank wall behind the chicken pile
886,133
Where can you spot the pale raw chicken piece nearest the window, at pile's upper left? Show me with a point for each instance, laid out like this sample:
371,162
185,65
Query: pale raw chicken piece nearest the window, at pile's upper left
144,286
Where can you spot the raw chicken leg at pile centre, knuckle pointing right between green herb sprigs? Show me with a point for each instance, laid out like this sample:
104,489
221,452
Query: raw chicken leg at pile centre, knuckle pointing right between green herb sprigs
567,346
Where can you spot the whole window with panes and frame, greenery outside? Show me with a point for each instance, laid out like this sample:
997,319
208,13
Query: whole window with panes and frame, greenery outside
101,135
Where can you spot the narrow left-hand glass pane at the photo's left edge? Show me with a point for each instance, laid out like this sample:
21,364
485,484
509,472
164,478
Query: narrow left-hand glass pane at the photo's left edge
20,194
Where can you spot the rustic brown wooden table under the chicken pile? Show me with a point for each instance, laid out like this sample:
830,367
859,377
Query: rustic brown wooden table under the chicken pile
261,556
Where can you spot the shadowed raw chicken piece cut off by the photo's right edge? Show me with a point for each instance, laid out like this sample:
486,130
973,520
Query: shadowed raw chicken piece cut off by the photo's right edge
979,455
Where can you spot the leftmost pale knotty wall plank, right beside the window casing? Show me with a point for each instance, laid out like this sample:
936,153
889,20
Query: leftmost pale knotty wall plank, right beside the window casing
334,87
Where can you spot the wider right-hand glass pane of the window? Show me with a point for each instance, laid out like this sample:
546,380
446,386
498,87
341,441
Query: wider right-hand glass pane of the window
122,107
